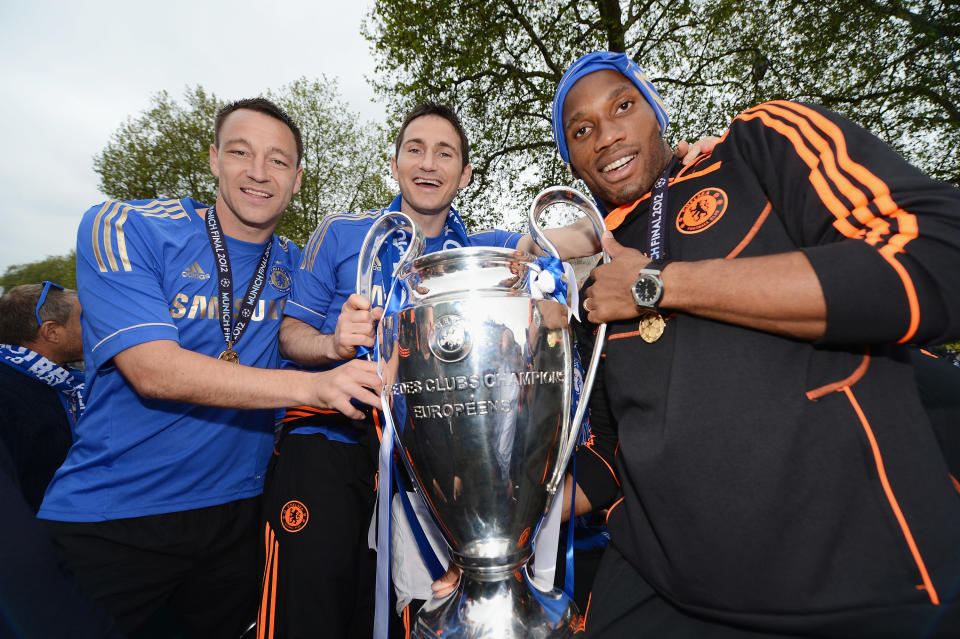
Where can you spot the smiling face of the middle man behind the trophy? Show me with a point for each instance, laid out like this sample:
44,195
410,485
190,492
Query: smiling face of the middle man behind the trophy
429,168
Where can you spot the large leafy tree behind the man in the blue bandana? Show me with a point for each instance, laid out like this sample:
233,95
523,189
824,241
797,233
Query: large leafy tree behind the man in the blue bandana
498,64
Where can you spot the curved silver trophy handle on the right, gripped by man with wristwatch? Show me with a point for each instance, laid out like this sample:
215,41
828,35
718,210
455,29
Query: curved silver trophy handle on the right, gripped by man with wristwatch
546,198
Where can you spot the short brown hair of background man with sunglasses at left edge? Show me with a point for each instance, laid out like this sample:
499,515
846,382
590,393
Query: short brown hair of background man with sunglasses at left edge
18,319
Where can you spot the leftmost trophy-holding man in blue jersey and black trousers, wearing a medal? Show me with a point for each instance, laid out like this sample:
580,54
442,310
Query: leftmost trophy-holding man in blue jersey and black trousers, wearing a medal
157,502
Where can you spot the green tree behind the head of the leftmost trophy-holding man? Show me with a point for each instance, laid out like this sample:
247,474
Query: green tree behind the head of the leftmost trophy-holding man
163,153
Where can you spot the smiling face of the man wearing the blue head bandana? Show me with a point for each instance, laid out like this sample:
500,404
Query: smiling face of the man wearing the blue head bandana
613,137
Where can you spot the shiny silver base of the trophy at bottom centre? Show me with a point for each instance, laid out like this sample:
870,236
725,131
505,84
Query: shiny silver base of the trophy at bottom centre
505,608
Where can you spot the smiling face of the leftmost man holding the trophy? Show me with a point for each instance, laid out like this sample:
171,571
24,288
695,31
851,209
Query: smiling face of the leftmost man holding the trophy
257,167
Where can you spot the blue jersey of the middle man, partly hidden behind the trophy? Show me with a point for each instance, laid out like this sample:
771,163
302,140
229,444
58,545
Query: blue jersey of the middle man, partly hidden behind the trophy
328,272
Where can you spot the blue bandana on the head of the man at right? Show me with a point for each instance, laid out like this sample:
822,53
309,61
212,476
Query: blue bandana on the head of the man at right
598,61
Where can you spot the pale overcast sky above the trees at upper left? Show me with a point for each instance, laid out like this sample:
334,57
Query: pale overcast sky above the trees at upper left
73,71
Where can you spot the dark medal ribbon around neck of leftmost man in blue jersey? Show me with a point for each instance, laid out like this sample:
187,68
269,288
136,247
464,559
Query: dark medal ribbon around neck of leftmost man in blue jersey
232,332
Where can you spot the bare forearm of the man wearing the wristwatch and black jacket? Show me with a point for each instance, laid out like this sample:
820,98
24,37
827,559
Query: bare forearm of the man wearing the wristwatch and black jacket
775,293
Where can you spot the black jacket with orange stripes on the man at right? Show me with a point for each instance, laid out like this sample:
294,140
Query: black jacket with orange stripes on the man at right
778,484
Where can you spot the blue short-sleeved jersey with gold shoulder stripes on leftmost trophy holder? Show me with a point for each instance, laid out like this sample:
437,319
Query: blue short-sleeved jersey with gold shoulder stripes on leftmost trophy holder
146,271
